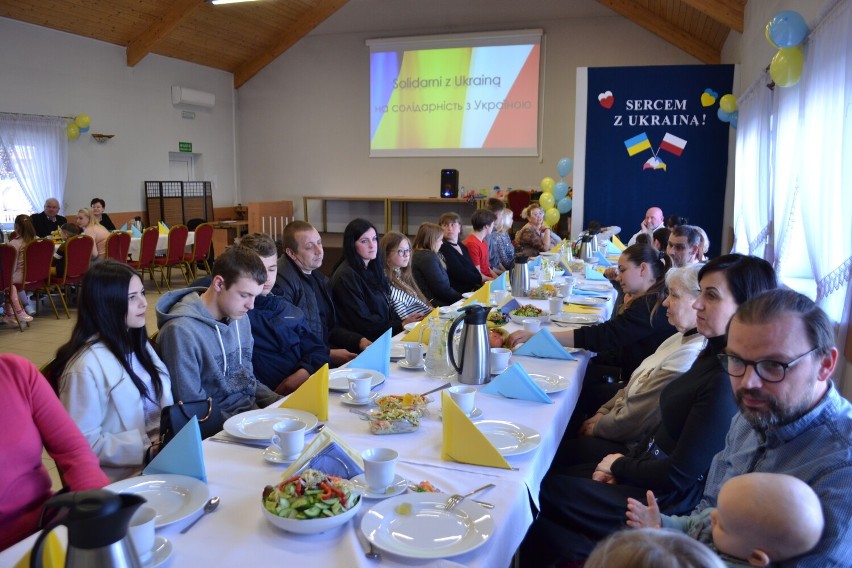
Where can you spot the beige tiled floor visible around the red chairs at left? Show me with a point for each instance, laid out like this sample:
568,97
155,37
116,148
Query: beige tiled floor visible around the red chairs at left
46,334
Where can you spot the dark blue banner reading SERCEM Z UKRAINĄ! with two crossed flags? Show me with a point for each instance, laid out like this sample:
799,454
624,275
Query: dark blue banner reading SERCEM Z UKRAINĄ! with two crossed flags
653,138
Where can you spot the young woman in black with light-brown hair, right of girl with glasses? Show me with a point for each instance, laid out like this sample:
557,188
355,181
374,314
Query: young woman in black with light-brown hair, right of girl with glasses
428,267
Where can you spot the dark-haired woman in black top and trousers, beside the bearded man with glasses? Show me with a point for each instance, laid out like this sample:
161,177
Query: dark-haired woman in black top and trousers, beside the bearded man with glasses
584,503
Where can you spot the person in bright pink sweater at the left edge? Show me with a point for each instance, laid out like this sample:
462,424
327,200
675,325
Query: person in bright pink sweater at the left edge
32,419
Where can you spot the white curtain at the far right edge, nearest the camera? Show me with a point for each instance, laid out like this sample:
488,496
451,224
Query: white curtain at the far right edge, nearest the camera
825,166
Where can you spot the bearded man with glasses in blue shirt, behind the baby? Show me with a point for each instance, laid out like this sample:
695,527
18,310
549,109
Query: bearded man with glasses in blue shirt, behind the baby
780,357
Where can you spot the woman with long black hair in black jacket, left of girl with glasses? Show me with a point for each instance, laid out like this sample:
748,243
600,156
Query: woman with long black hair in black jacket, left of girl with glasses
360,288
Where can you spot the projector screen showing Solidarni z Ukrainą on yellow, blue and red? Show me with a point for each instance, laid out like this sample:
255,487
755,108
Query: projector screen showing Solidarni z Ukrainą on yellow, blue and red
455,95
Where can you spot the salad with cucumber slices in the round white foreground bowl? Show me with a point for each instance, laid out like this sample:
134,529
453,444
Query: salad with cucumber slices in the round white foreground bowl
310,495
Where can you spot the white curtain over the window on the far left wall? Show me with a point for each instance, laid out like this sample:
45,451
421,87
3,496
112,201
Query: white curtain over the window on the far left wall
38,153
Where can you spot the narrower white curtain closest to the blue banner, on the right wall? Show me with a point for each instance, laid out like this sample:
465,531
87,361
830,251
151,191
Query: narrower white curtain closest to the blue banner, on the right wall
753,212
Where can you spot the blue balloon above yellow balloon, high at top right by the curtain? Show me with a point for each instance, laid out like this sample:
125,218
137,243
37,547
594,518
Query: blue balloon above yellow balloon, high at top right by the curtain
786,31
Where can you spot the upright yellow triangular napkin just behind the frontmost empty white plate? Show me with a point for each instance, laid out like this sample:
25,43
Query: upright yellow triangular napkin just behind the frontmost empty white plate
463,442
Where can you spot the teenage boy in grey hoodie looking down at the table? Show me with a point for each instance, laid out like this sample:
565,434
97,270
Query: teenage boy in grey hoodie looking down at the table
206,342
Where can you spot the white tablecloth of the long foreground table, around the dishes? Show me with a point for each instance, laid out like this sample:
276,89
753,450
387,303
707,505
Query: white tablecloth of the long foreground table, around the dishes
238,535
